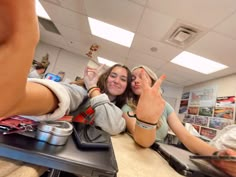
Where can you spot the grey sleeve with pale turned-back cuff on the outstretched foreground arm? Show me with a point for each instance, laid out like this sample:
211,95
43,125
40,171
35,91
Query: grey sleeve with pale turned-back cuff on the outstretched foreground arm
69,96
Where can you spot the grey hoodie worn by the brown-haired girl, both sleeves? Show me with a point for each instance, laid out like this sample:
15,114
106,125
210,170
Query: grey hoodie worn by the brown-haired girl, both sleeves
107,115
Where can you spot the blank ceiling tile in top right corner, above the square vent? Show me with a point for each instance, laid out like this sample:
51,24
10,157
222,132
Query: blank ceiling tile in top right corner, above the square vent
205,13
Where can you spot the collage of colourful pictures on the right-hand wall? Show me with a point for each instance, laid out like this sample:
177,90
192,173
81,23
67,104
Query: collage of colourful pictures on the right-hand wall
207,113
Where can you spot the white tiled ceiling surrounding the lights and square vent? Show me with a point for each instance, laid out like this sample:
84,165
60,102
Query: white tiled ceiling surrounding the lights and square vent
152,21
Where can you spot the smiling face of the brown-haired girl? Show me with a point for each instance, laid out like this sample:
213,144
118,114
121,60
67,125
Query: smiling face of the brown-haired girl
117,81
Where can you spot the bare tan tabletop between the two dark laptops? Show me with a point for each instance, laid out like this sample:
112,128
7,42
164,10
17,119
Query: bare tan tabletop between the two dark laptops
135,161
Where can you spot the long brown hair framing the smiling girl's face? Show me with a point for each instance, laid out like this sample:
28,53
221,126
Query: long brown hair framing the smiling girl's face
120,99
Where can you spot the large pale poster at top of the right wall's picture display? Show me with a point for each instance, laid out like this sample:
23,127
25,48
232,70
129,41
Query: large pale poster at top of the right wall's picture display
203,97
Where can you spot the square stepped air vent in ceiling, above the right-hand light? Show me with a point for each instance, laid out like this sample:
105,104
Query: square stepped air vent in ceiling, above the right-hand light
182,35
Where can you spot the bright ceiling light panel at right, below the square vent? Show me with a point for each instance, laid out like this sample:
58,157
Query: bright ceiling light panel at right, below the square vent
197,63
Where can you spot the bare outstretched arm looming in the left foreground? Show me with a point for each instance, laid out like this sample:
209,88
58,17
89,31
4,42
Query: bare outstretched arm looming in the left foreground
18,39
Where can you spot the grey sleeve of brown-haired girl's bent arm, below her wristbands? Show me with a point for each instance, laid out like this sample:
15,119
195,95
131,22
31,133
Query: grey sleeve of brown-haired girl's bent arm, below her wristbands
107,115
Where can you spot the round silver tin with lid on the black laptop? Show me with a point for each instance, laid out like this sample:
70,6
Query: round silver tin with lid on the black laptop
56,132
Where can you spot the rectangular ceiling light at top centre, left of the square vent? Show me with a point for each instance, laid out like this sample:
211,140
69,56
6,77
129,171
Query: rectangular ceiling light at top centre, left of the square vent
110,32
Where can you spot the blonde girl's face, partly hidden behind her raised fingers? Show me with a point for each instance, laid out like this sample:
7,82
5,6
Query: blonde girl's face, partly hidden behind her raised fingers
136,84
